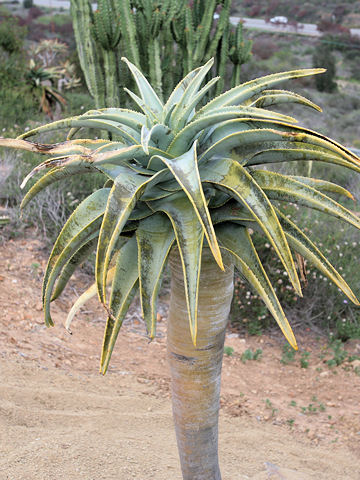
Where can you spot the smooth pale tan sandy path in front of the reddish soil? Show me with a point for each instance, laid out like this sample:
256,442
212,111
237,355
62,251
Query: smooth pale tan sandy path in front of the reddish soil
57,426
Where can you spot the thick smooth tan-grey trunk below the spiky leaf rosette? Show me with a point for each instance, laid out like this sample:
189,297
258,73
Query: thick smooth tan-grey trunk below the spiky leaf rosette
196,371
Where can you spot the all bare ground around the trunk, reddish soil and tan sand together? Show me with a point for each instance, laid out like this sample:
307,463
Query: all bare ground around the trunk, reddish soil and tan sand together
59,419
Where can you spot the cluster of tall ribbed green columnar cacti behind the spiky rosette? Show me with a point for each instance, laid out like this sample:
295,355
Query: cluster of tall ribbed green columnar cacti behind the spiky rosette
166,39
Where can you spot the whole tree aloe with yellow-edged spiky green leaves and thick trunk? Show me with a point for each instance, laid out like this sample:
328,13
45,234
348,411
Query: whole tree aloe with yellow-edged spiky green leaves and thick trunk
183,183
